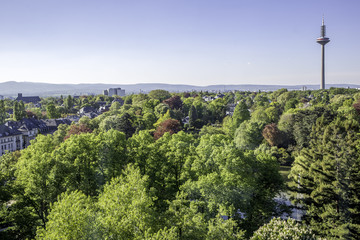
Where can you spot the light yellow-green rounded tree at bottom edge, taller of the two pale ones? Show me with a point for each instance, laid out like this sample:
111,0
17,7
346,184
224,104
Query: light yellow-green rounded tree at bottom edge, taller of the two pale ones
125,206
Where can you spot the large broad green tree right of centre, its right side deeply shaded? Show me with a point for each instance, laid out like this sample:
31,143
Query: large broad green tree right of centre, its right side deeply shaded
228,178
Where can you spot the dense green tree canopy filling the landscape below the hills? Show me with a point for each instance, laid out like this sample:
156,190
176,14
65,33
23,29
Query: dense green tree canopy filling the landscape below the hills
192,165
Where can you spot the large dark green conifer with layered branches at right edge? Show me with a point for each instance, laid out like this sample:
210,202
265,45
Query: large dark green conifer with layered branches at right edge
326,175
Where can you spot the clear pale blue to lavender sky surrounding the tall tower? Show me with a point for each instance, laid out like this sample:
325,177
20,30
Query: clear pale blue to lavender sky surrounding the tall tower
199,42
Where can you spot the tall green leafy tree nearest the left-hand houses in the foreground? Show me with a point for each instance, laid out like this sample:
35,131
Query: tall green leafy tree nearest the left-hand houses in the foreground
38,178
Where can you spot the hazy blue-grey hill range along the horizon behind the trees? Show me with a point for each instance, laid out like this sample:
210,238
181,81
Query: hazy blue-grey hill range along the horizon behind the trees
46,89
